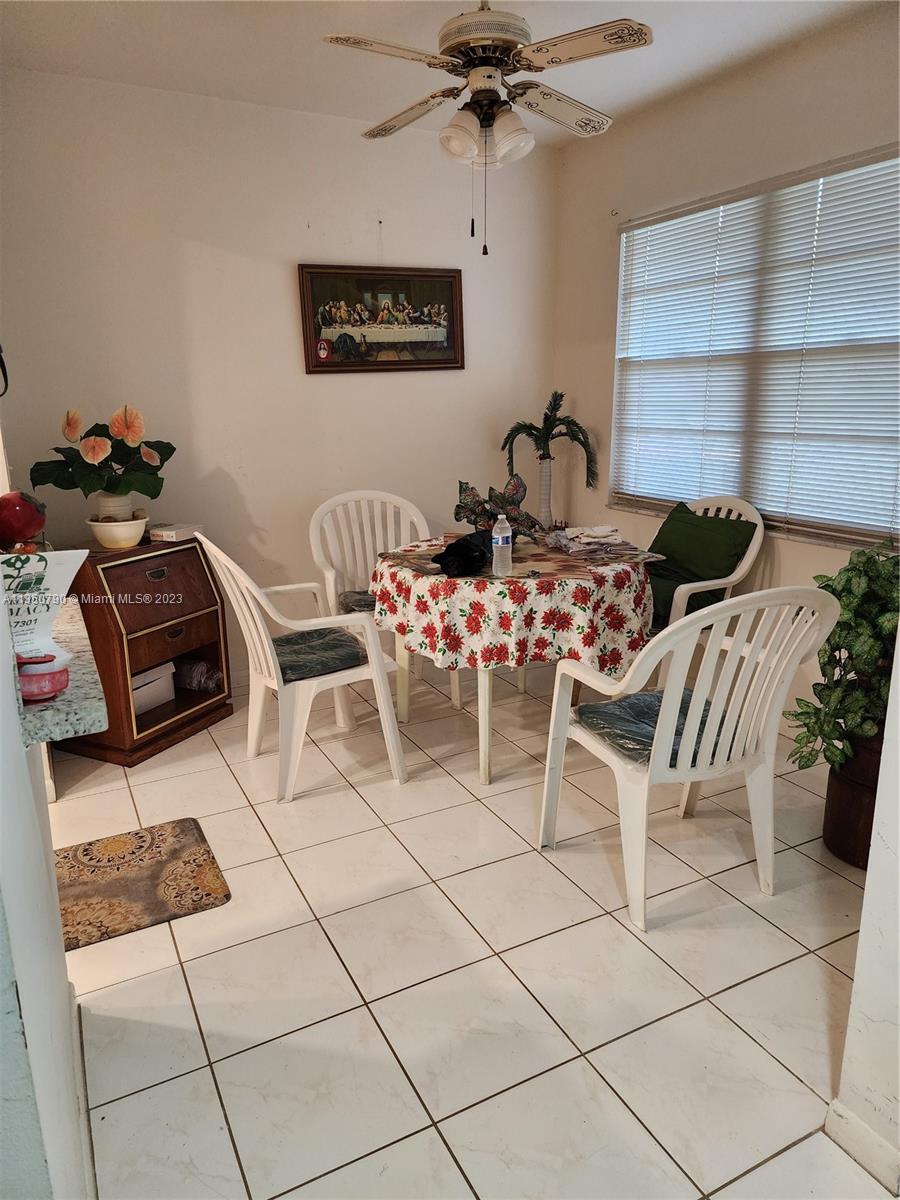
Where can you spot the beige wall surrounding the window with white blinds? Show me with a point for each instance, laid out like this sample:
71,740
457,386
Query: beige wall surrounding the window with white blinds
836,94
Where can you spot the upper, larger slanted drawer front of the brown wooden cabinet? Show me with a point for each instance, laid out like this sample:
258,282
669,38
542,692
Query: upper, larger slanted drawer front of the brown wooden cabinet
158,589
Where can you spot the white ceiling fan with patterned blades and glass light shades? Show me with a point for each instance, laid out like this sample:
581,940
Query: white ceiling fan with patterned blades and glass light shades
484,49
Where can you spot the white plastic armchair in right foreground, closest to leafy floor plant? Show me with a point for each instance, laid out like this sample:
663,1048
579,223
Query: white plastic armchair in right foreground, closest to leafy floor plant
751,649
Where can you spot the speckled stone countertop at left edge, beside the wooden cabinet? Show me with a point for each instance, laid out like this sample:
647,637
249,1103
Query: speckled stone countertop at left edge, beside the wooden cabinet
81,709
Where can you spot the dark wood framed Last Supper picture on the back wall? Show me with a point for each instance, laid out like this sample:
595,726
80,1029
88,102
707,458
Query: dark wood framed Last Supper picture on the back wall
381,319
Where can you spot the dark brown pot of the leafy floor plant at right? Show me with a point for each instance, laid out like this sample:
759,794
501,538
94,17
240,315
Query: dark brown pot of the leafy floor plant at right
850,803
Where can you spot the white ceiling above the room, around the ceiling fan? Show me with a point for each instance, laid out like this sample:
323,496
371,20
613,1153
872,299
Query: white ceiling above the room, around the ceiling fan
272,53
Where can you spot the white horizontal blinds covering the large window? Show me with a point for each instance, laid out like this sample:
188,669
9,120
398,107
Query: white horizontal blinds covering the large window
758,356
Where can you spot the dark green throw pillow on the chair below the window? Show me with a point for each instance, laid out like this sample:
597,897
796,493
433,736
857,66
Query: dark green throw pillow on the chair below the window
695,549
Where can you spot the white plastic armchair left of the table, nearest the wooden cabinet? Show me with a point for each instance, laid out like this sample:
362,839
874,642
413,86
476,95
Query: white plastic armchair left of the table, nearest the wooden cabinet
253,607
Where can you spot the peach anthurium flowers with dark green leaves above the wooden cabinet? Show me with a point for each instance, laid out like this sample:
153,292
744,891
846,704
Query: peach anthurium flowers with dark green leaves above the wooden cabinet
115,459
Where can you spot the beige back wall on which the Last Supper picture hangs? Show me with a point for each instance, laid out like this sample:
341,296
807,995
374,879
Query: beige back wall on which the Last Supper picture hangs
151,250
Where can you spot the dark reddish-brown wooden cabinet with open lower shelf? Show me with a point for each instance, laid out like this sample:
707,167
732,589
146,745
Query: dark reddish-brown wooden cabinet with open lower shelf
142,608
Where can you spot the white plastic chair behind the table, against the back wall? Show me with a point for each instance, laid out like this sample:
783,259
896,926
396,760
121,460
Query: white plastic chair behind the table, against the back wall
347,533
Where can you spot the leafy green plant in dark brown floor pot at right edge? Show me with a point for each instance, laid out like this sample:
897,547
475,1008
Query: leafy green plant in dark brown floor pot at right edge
845,723
